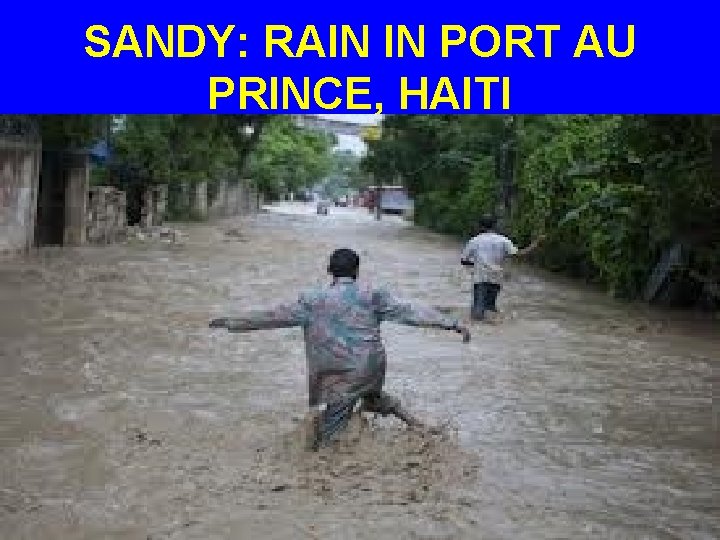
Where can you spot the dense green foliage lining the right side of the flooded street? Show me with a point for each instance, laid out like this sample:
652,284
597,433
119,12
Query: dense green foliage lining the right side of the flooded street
611,192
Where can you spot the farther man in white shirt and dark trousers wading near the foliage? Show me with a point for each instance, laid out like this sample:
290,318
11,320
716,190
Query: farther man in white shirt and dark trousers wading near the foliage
486,253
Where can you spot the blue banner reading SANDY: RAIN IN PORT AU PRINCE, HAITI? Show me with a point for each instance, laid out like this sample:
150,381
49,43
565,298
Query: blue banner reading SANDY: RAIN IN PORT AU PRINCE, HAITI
368,57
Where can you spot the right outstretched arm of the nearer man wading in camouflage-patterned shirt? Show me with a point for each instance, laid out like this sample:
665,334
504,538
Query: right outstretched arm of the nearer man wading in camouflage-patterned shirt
390,308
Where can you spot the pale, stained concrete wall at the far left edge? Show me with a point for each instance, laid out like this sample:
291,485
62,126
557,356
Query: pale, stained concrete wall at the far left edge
19,173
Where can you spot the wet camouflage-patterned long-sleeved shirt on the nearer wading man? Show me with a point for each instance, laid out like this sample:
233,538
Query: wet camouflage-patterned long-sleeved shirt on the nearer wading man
345,353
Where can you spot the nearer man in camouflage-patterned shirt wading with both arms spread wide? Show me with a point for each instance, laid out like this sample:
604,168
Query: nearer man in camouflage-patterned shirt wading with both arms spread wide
345,353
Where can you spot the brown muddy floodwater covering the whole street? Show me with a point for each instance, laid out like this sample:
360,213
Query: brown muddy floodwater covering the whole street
124,417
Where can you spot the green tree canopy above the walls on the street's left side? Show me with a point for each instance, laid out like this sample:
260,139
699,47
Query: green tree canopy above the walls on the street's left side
270,151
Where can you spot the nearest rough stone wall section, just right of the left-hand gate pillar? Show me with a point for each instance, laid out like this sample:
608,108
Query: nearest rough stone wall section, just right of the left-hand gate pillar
106,215
